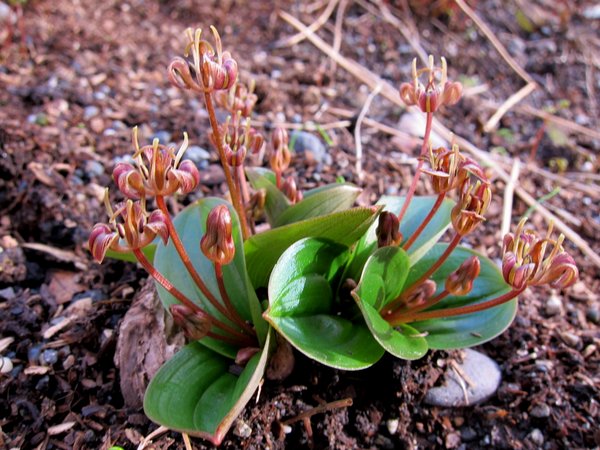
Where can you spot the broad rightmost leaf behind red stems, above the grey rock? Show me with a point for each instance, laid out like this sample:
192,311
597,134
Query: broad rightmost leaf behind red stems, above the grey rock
469,329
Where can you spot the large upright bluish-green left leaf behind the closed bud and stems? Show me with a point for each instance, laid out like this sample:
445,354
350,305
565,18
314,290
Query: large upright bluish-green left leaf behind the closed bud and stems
191,225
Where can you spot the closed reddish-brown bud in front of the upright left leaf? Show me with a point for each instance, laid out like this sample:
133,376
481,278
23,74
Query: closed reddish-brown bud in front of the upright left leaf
217,243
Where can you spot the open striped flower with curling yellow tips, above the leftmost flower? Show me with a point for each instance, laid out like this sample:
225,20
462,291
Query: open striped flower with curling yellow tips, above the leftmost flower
159,171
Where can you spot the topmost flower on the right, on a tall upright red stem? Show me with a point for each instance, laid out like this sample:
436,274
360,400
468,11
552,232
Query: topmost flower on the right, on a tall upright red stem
431,96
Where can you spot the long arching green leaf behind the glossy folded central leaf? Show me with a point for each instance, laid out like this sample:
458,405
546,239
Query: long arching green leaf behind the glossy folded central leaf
264,249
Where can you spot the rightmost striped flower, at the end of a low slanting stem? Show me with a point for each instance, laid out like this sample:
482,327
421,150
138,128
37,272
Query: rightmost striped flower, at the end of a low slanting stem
524,260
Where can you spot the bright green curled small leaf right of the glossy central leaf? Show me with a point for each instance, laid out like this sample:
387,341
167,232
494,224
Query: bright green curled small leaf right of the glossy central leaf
382,281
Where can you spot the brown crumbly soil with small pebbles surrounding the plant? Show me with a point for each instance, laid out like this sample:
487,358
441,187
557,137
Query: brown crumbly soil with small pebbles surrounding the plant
85,72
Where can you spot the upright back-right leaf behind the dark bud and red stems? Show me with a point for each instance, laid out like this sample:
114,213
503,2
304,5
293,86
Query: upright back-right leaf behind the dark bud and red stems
417,211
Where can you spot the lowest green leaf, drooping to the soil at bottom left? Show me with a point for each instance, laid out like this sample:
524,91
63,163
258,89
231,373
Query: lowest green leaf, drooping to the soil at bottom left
196,393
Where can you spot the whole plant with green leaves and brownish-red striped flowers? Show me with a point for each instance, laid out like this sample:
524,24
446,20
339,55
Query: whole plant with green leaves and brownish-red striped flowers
341,284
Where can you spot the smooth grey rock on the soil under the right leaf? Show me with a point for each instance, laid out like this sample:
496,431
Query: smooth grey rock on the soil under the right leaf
479,369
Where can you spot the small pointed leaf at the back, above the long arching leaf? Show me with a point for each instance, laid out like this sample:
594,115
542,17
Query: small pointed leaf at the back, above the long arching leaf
321,201
